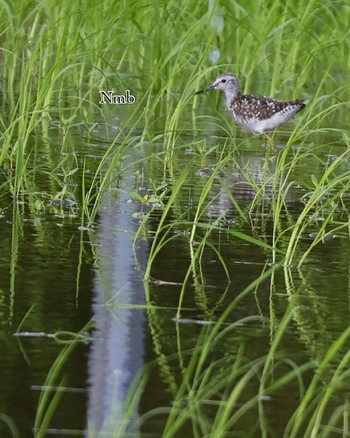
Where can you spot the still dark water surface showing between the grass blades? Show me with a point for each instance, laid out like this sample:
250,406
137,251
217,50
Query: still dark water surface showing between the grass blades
58,276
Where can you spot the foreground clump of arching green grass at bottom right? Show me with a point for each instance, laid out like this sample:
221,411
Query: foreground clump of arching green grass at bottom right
226,395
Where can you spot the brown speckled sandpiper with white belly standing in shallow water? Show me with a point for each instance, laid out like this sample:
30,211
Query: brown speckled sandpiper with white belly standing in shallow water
257,114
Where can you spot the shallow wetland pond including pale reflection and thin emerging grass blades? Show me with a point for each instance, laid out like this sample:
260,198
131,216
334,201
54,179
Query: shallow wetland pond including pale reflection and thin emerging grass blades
60,278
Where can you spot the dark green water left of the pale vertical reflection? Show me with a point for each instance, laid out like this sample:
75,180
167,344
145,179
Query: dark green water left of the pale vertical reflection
41,293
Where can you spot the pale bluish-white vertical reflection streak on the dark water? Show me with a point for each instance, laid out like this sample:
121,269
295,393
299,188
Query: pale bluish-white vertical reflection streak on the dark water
117,352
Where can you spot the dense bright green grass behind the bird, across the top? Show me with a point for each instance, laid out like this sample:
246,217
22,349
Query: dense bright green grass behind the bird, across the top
49,69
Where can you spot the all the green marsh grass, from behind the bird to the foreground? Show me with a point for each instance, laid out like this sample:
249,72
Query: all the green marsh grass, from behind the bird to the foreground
55,57
